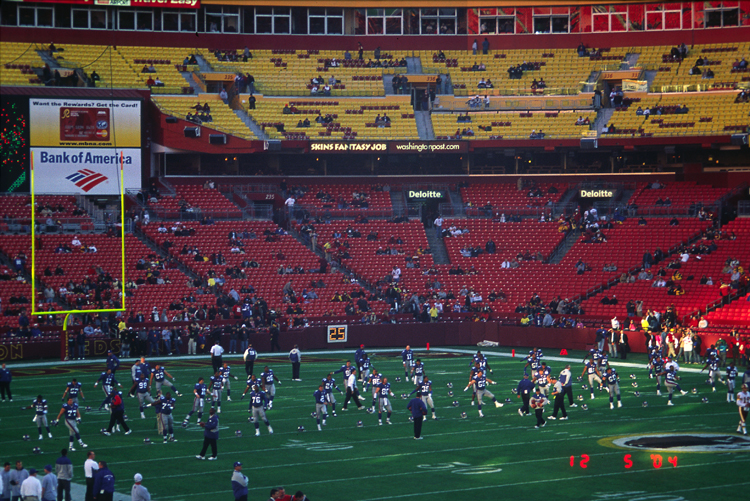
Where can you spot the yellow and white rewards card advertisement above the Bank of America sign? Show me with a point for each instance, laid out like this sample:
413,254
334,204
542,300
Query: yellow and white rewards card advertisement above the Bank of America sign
96,123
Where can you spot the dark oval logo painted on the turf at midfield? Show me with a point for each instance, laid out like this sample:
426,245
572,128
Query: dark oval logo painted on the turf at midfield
687,442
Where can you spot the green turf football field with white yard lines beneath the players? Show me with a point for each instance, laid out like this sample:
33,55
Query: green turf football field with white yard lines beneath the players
498,456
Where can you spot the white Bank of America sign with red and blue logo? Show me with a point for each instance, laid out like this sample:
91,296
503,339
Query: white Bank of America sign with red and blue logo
86,171
